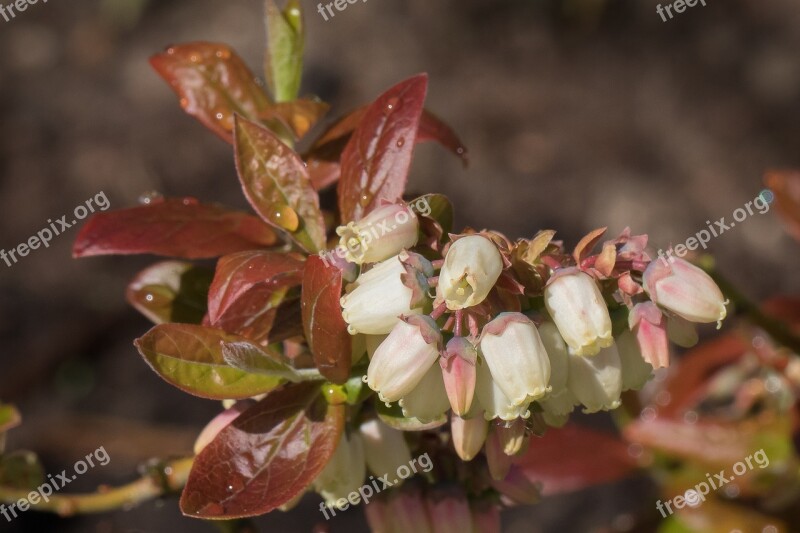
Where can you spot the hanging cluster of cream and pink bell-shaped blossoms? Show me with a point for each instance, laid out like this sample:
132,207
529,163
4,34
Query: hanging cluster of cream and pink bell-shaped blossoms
514,335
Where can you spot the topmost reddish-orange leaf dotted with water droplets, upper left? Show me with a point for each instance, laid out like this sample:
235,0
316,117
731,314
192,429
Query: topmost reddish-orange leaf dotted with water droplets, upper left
212,83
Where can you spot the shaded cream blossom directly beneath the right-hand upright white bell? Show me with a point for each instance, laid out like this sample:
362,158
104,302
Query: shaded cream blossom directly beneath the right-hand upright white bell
596,381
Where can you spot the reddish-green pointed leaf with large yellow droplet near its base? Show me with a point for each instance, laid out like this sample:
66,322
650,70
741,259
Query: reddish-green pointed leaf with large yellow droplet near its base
276,184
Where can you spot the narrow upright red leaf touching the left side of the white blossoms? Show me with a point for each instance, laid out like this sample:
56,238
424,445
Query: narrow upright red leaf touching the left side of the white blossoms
325,329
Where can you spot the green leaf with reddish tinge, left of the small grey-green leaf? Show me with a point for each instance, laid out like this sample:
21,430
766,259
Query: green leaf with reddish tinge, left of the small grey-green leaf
190,357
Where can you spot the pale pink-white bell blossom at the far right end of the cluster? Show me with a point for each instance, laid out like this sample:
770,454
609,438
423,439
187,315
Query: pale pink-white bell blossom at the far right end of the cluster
685,290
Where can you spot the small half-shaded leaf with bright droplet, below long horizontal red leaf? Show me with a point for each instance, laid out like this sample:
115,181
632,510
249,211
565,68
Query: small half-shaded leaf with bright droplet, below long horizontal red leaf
171,291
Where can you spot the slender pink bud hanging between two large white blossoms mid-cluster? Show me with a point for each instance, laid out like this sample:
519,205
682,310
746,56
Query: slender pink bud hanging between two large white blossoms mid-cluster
460,373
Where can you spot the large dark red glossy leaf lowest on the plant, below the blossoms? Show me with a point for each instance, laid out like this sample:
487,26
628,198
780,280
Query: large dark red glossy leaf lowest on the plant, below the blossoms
265,457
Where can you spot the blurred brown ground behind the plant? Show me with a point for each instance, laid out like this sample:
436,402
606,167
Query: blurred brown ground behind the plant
577,113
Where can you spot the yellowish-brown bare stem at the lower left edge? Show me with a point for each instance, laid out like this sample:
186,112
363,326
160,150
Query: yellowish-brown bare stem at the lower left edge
165,479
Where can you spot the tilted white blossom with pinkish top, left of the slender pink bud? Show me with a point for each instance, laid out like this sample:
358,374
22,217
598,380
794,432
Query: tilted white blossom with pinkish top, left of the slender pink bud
403,359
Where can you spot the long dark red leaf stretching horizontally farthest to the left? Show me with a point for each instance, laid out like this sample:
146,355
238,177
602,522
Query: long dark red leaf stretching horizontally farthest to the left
177,227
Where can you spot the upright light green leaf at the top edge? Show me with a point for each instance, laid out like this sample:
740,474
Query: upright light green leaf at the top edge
285,41
